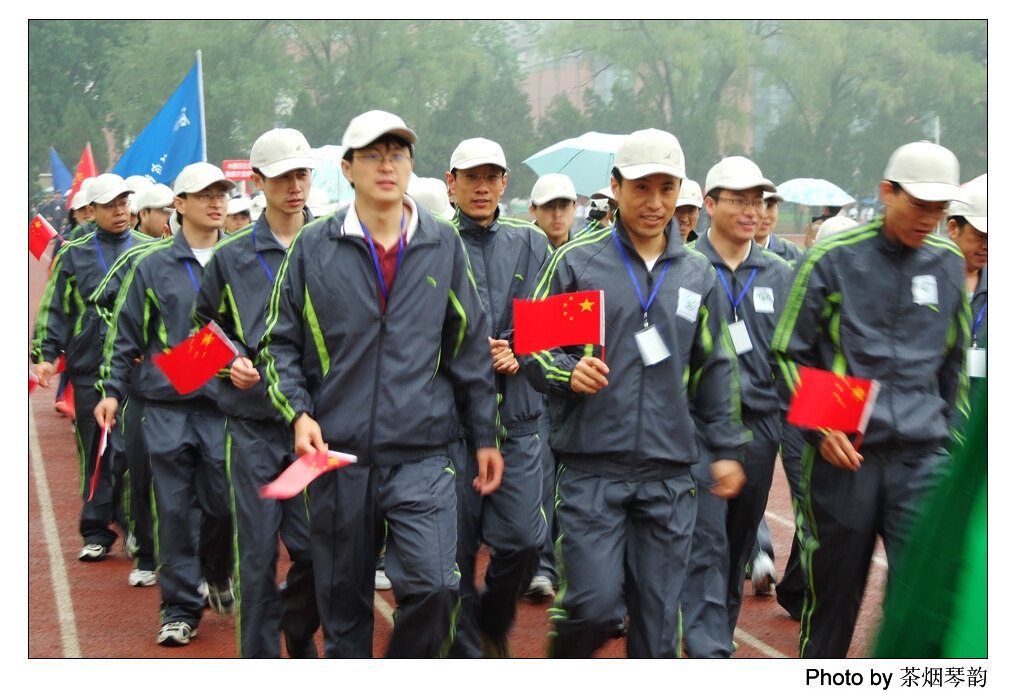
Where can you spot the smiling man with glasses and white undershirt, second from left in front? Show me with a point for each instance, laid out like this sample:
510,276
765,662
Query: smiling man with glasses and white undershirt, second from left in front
184,433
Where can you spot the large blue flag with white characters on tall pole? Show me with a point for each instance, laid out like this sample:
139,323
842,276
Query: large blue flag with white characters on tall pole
174,139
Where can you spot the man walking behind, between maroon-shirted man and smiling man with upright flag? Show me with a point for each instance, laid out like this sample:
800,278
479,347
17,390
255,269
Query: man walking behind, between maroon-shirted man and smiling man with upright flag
505,256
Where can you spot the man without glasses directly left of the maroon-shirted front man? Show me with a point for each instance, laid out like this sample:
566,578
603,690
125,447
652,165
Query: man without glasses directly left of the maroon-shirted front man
260,444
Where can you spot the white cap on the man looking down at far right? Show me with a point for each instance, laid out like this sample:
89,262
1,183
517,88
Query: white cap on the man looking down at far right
927,171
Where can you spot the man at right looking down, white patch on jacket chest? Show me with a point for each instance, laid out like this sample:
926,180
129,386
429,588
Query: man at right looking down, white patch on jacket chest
884,301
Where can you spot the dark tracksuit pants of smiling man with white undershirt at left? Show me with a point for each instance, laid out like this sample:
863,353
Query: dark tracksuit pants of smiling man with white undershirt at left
187,449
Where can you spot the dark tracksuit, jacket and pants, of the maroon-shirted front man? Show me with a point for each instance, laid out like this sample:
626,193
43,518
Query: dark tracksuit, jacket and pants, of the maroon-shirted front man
387,388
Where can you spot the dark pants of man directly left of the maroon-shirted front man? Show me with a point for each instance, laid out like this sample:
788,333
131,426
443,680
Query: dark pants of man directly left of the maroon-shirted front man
258,453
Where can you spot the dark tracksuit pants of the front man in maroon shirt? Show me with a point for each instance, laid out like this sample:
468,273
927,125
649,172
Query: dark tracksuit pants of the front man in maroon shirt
418,500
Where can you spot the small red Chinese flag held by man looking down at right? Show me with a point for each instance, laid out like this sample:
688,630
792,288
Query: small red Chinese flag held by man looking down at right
835,402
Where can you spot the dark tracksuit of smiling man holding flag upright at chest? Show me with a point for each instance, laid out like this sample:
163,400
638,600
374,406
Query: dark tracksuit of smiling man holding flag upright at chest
646,430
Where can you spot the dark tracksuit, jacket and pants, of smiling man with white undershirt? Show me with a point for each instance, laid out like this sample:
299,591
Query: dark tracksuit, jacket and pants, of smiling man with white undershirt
184,433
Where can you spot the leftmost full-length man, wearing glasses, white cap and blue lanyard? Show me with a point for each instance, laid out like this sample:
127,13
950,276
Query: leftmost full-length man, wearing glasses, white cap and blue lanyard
67,323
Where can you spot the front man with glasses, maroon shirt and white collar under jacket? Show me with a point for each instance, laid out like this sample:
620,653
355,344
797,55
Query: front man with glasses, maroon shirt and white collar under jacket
375,334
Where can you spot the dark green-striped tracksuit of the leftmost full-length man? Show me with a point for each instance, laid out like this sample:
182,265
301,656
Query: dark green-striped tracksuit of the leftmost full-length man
68,324
